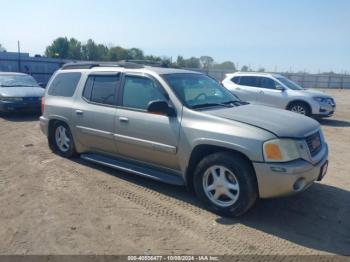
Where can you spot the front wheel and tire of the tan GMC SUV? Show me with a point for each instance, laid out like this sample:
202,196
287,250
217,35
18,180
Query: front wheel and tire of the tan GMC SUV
239,175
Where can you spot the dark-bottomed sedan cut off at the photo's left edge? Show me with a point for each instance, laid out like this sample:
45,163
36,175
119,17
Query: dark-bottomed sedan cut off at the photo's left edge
19,92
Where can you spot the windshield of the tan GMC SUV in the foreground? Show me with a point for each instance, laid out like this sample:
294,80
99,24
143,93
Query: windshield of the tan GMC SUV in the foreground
200,91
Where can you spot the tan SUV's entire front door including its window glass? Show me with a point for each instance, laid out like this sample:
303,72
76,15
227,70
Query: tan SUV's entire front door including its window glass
140,135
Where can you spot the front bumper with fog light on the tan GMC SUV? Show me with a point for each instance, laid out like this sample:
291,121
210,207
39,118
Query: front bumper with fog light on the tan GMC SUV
281,179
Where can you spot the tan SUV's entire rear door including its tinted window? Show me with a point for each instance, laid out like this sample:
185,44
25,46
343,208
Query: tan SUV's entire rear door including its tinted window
95,112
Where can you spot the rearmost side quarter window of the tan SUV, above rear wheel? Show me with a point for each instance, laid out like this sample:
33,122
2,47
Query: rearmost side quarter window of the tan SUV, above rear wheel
64,84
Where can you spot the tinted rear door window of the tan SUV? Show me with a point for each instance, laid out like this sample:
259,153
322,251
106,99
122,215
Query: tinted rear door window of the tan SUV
101,89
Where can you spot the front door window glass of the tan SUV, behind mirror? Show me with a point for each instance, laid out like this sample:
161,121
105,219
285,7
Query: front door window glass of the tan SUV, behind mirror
139,91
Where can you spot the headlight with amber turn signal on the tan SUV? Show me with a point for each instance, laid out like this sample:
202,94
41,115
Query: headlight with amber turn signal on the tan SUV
281,150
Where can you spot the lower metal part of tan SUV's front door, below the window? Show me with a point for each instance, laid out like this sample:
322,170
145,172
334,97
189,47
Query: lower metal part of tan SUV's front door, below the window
147,137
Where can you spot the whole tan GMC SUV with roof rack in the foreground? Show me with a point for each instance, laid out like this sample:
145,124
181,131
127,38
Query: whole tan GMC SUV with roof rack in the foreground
183,128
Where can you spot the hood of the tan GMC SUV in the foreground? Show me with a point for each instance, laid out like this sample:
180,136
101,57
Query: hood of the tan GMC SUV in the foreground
280,122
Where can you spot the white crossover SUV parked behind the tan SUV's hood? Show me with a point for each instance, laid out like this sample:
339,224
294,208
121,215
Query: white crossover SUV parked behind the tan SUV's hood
277,91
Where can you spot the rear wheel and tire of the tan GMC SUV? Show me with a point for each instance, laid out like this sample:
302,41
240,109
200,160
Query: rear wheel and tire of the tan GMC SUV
61,140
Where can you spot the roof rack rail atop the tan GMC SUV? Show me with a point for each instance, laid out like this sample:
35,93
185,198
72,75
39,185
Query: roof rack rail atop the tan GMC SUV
89,65
